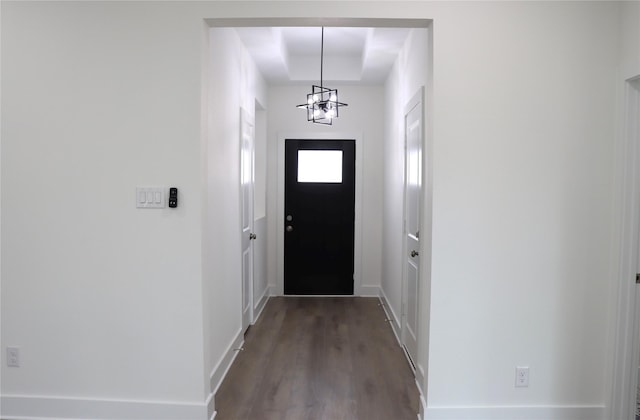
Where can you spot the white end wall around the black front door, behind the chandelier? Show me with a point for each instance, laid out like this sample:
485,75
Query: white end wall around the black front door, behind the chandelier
363,115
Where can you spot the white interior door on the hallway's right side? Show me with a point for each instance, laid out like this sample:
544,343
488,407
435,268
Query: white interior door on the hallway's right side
413,123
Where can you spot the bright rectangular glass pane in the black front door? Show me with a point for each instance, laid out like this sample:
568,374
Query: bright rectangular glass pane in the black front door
320,166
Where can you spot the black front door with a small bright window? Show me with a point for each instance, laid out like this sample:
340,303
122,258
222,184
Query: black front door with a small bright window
319,217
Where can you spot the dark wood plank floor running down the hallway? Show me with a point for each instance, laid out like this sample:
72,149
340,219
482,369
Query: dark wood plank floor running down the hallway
319,358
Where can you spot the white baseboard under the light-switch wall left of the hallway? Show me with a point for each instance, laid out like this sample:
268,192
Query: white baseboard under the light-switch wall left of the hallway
31,407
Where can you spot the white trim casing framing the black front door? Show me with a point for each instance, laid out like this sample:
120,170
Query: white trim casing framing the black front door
358,288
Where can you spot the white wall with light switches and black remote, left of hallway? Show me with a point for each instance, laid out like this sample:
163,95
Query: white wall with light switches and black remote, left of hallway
103,299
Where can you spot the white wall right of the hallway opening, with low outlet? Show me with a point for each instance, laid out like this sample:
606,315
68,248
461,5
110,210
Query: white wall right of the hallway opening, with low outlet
523,154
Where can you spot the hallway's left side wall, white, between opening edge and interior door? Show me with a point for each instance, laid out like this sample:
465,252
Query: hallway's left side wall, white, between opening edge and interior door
234,83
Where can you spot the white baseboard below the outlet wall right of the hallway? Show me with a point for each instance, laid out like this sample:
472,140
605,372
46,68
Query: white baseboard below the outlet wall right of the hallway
596,412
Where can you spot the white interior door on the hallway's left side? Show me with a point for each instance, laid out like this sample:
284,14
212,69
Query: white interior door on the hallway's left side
247,180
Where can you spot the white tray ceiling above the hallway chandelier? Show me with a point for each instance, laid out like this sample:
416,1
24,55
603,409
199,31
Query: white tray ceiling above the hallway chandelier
291,55
